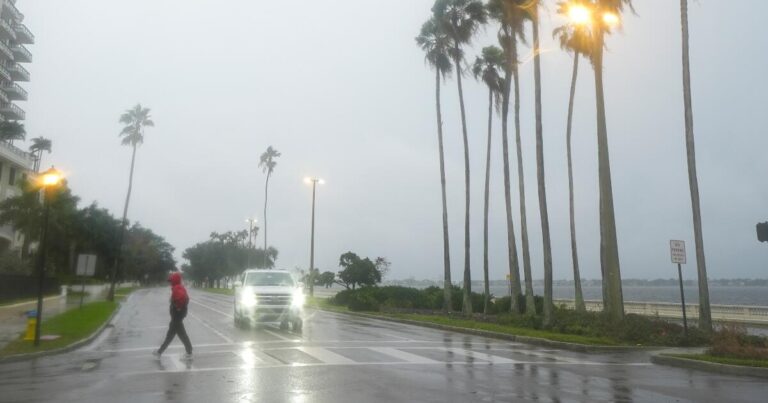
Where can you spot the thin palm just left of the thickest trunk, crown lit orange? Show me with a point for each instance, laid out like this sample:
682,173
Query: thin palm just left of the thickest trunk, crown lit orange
574,37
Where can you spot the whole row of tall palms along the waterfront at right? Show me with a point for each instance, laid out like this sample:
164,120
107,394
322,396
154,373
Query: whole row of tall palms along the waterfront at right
445,38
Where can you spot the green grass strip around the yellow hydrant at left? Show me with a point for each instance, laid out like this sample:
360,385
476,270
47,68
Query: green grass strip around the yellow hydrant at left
71,326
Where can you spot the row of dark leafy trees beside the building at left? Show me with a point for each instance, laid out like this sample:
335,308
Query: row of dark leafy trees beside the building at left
73,230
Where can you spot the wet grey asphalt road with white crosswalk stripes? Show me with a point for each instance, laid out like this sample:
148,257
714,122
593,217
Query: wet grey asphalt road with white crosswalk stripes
338,358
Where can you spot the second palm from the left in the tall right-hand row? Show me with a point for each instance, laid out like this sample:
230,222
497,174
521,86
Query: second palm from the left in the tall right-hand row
460,19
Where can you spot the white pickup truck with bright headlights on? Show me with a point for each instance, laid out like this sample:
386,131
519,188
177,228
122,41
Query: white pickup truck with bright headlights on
269,296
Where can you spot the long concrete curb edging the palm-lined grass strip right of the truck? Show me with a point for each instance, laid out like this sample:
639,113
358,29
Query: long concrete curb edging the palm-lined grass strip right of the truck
583,348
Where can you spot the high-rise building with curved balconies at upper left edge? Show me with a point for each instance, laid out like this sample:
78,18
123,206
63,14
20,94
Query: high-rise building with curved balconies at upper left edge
14,162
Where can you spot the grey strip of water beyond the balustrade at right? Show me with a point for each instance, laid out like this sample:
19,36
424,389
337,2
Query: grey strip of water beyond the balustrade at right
718,295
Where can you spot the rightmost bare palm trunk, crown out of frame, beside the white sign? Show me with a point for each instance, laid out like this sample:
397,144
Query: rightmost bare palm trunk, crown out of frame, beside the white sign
705,315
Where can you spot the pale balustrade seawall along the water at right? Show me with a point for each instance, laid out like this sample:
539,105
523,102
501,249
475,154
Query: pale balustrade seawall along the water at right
748,314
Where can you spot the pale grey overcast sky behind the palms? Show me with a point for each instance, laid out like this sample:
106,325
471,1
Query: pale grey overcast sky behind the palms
340,88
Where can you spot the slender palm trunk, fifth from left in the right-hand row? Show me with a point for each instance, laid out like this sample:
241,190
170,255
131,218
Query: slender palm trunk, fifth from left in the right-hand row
530,306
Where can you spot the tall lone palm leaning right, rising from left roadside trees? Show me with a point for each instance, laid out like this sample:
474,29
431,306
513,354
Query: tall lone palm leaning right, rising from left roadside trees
135,120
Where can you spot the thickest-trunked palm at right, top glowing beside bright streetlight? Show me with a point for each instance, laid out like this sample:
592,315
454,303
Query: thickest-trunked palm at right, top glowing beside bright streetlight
606,16
